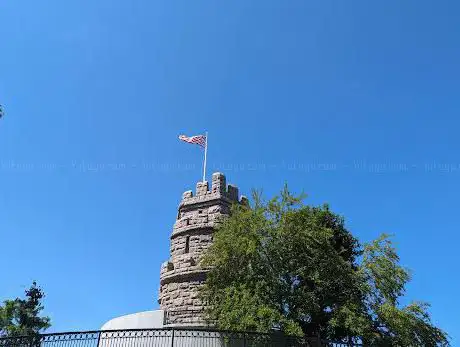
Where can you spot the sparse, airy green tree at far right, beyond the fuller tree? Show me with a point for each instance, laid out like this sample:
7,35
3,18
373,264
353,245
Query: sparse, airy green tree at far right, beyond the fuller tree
384,321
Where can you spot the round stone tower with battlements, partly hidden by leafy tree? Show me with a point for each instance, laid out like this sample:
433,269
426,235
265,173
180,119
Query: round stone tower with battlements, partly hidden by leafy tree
182,275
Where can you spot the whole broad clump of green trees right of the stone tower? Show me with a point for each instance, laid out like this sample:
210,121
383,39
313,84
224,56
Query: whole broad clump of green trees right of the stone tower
284,265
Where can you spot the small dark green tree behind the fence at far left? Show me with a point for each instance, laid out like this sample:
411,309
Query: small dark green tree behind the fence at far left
21,317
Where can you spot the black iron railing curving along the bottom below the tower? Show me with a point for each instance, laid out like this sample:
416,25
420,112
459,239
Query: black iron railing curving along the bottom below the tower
167,337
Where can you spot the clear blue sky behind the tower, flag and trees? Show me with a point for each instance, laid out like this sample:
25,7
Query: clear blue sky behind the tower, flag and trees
354,102
